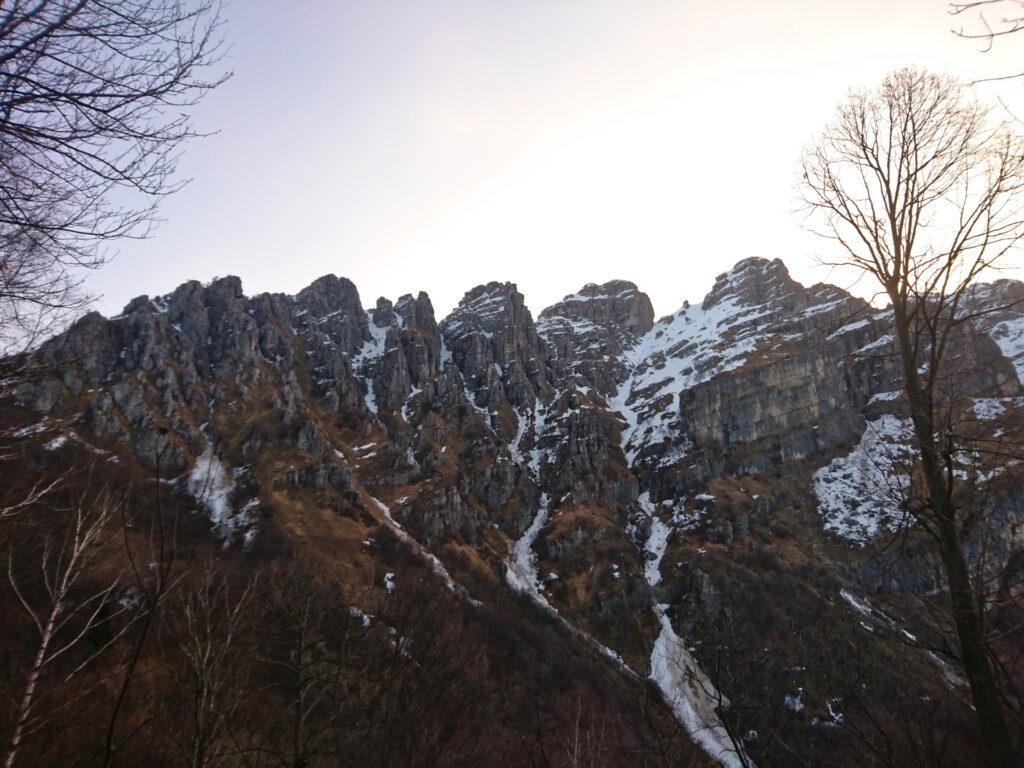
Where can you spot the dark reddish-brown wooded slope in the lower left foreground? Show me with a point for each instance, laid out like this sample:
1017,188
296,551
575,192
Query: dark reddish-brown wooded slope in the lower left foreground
132,639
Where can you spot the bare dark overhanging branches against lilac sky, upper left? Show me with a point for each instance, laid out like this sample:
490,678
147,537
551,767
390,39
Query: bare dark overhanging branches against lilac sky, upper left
94,113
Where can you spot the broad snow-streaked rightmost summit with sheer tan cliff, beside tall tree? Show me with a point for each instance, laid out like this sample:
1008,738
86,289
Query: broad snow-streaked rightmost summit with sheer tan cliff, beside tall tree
762,352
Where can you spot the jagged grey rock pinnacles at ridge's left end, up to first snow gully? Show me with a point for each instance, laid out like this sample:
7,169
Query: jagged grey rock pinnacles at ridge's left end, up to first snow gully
169,364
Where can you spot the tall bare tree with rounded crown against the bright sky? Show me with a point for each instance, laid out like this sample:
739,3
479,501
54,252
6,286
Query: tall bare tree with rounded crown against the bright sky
921,192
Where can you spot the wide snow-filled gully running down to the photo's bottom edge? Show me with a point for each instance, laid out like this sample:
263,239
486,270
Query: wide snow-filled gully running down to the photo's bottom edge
687,690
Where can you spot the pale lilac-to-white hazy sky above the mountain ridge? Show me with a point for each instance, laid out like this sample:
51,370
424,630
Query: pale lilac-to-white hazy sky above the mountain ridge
434,145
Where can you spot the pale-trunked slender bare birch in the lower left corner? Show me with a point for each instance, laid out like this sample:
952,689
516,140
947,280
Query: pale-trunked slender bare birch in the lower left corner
66,615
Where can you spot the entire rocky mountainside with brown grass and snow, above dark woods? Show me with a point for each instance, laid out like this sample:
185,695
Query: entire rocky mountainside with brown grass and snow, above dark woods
630,475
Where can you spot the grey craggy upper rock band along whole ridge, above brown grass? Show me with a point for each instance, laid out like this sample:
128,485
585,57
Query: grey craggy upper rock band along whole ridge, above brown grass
595,402
